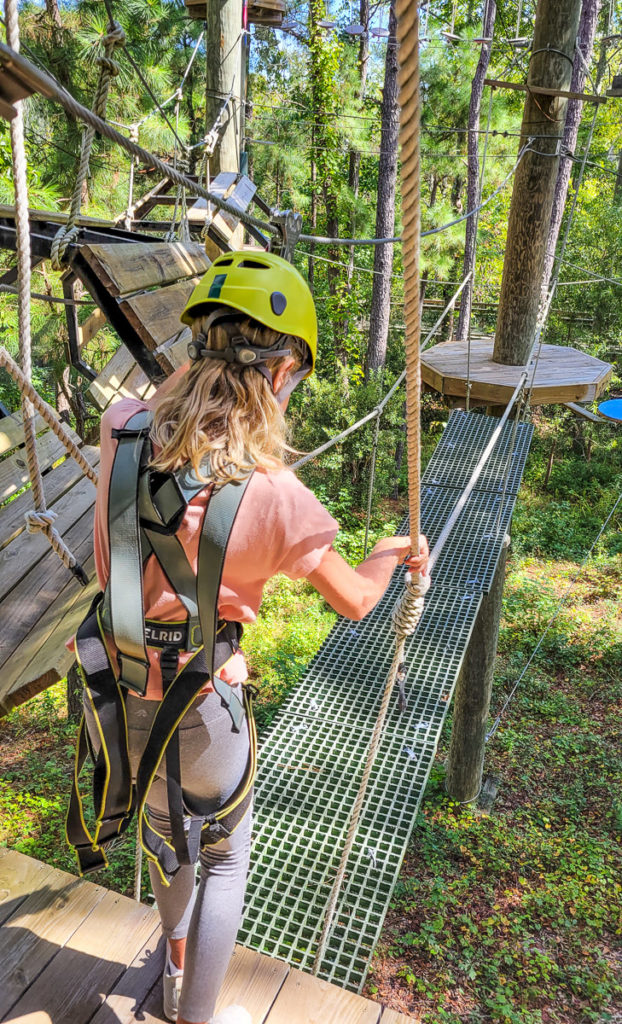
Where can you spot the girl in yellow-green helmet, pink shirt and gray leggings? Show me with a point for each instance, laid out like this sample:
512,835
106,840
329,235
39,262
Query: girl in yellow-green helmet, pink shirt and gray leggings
255,338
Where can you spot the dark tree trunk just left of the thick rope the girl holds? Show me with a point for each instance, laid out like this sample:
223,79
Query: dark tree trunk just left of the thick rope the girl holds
386,210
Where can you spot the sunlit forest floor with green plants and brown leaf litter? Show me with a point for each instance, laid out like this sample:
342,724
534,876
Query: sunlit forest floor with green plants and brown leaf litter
511,916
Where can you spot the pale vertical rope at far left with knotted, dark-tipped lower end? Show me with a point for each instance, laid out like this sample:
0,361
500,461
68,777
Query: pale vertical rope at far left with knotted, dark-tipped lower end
42,519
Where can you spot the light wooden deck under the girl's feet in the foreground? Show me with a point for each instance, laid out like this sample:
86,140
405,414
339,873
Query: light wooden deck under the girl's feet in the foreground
72,953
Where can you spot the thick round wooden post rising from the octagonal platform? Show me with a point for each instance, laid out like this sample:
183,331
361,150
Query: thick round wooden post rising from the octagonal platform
555,35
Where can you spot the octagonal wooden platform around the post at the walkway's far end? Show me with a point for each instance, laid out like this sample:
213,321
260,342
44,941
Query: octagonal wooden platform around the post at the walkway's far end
563,374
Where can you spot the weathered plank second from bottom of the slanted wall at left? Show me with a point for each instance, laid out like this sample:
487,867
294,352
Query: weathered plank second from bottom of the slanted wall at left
32,598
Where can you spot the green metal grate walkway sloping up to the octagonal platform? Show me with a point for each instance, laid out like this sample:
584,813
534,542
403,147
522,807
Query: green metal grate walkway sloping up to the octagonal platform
312,759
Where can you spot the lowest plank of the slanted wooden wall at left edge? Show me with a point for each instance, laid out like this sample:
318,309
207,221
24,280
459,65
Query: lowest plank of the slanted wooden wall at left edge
43,659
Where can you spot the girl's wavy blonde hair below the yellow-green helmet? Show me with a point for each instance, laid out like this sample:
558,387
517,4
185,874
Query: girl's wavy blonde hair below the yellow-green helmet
224,410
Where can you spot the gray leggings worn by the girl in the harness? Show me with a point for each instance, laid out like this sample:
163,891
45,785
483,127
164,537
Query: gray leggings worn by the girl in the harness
214,760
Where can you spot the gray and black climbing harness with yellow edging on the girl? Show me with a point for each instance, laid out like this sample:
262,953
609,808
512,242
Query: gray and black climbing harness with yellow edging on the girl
146,509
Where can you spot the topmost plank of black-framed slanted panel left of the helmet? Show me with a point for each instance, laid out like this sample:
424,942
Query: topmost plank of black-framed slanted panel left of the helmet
128,268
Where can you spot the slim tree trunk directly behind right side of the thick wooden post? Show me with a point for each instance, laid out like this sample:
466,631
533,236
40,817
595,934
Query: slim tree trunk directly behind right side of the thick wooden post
586,42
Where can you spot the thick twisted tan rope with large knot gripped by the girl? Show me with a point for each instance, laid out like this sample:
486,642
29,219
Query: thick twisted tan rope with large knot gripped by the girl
409,610
